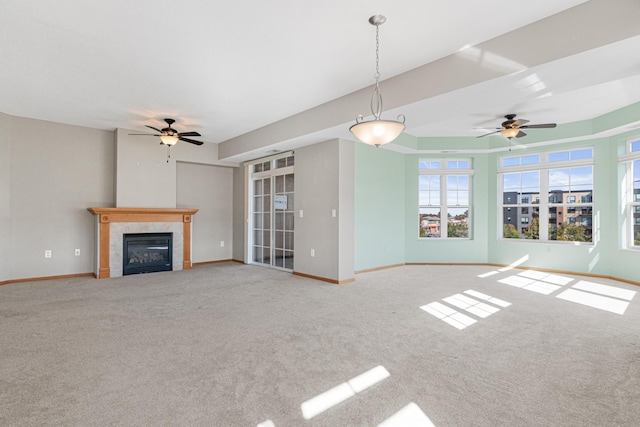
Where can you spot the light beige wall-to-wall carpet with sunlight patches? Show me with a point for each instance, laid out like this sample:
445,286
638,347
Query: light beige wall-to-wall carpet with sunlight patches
237,345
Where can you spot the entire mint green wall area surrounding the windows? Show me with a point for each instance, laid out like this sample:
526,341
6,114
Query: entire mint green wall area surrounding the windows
386,206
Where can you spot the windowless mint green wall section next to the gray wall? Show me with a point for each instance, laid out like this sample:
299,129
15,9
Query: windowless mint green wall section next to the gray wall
379,206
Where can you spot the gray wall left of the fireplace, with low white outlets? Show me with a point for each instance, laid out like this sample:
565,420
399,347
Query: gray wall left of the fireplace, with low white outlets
50,174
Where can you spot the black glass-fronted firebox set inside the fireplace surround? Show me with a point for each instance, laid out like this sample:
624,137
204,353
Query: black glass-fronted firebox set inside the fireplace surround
146,253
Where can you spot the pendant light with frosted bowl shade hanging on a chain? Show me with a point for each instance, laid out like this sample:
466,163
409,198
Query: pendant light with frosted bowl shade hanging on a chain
377,131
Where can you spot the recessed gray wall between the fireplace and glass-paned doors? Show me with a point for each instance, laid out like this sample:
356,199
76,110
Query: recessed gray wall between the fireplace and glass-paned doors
209,189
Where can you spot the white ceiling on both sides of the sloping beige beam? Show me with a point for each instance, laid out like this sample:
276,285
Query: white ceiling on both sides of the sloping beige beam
227,68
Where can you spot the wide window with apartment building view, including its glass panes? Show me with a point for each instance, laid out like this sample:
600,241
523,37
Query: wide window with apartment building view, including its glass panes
560,183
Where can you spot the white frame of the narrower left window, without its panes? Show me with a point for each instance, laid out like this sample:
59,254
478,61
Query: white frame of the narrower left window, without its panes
443,172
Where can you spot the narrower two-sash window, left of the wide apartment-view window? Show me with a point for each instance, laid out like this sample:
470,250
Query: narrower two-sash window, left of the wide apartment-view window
444,197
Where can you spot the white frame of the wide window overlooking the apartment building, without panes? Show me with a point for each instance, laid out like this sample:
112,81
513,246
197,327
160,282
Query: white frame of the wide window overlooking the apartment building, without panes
543,202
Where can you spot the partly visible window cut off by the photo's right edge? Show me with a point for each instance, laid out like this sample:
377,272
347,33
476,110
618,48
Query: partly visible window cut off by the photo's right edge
631,193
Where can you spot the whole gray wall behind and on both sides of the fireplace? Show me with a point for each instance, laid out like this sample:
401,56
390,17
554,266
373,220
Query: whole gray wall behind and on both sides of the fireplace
50,173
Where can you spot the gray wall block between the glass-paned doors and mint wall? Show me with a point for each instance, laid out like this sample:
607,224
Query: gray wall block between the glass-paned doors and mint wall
323,183
